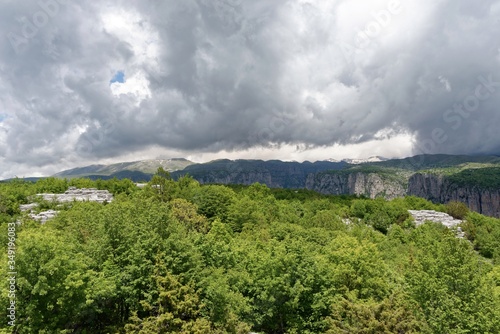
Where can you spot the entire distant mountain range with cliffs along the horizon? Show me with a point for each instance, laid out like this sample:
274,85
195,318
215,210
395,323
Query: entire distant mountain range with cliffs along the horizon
474,180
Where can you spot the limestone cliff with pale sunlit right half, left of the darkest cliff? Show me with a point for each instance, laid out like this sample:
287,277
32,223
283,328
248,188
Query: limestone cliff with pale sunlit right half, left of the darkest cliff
371,185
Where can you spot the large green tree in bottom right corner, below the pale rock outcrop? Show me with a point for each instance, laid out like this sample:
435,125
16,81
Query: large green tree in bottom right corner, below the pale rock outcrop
445,278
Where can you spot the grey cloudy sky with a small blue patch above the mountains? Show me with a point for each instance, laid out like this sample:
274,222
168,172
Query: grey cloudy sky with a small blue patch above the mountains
106,81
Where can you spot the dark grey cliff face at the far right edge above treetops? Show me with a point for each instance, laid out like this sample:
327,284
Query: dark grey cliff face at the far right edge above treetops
438,189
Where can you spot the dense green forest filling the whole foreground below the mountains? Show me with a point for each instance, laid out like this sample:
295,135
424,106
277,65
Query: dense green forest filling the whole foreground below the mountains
178,257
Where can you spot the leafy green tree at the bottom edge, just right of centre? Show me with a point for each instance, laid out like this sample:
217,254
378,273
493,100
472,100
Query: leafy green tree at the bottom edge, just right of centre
289,285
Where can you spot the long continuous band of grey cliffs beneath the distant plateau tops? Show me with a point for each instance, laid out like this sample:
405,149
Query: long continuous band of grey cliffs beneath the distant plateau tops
333,178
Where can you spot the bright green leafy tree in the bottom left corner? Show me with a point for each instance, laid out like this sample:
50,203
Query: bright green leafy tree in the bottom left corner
52,281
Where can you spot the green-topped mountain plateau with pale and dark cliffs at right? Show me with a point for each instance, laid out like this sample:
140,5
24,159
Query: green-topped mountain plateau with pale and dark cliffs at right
473,180
